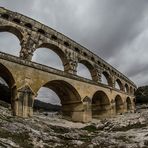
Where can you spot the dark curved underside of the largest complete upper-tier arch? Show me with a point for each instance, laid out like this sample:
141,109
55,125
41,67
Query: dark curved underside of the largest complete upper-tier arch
56,50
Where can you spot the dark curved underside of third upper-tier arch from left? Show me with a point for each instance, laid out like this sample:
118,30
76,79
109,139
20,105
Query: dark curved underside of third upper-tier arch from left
89,66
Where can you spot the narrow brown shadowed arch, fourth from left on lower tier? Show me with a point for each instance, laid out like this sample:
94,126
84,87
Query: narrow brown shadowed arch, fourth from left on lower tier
118,104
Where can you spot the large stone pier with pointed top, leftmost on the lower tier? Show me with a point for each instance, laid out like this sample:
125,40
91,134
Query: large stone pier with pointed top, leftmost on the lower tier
24,102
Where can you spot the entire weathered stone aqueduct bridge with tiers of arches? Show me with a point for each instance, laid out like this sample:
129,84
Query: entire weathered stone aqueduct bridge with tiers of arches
81,98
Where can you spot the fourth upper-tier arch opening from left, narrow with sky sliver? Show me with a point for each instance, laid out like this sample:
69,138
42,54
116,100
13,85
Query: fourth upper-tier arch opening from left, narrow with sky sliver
106,79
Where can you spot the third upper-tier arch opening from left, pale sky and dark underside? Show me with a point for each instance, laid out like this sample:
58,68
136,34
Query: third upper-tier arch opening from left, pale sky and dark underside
85,69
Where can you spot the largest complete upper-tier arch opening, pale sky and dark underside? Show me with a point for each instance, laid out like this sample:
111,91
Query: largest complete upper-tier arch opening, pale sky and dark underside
50,55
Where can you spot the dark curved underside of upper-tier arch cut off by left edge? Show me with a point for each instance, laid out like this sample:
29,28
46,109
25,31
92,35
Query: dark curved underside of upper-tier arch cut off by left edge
12,30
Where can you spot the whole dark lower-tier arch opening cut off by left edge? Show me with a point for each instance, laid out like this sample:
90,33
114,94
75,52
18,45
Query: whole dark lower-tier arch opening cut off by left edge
7,86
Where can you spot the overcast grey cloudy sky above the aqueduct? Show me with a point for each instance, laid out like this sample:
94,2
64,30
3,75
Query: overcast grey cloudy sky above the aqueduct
116,30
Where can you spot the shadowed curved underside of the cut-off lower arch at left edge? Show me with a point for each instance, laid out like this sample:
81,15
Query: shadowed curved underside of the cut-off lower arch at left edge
7,76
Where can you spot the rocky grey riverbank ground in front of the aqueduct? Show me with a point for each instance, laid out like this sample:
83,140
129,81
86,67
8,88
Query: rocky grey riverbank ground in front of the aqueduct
50,130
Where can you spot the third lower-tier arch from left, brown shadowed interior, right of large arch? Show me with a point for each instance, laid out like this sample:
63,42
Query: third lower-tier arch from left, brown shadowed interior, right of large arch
100,104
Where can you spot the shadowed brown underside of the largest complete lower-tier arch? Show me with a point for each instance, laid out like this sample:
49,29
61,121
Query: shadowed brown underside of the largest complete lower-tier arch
68,95
